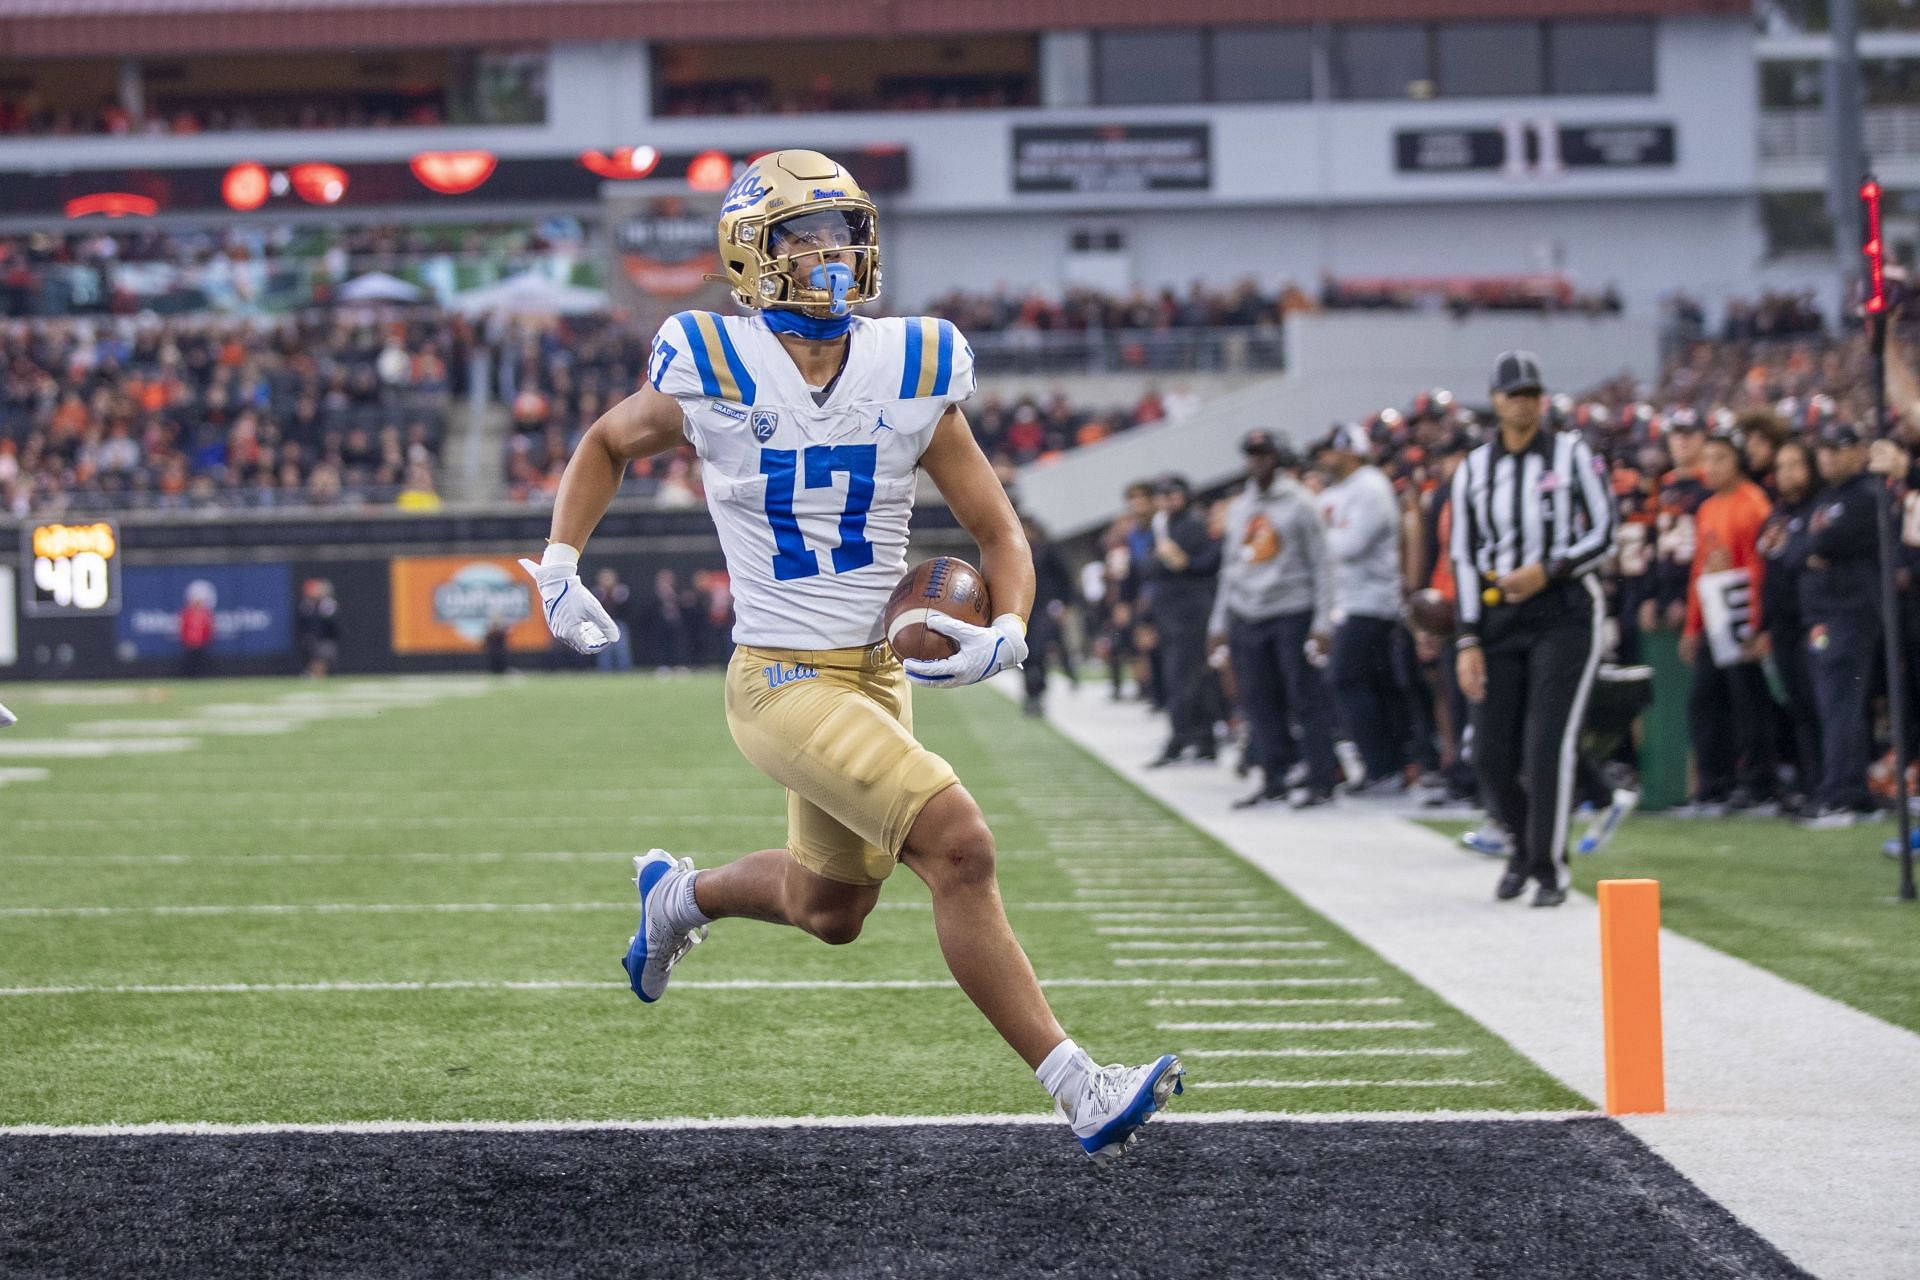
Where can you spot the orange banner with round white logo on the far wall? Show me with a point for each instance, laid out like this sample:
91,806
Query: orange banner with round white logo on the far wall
446,604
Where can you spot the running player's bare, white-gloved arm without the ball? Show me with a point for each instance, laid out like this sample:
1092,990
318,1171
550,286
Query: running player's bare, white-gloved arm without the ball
638,427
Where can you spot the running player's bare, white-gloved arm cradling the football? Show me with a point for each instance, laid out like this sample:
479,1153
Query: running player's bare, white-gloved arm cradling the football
980,504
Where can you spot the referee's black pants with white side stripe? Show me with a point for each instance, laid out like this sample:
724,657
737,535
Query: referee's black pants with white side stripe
1539,675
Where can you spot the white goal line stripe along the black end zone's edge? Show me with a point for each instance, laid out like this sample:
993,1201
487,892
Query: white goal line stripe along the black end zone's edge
206,1129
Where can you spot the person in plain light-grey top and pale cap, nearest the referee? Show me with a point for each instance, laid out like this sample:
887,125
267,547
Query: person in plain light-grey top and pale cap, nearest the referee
1364,536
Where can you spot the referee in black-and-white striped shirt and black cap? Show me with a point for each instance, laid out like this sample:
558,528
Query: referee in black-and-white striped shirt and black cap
1533,517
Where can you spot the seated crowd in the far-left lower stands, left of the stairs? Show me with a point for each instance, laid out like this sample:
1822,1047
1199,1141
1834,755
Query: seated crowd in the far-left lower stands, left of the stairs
216,414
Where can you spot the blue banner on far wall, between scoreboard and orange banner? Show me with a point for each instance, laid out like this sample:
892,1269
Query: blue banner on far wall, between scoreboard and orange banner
252,607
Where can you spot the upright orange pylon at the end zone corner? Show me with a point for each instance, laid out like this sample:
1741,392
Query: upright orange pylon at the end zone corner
1631,993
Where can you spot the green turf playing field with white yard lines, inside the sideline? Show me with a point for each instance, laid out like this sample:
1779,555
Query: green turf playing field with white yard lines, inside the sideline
439,878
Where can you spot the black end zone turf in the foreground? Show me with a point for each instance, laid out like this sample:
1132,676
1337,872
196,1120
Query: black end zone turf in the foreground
1516,1198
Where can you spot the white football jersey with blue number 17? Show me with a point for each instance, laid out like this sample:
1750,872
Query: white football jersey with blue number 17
811,500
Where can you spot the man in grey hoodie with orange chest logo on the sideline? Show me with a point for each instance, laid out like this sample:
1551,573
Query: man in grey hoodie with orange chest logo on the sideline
1274,605
